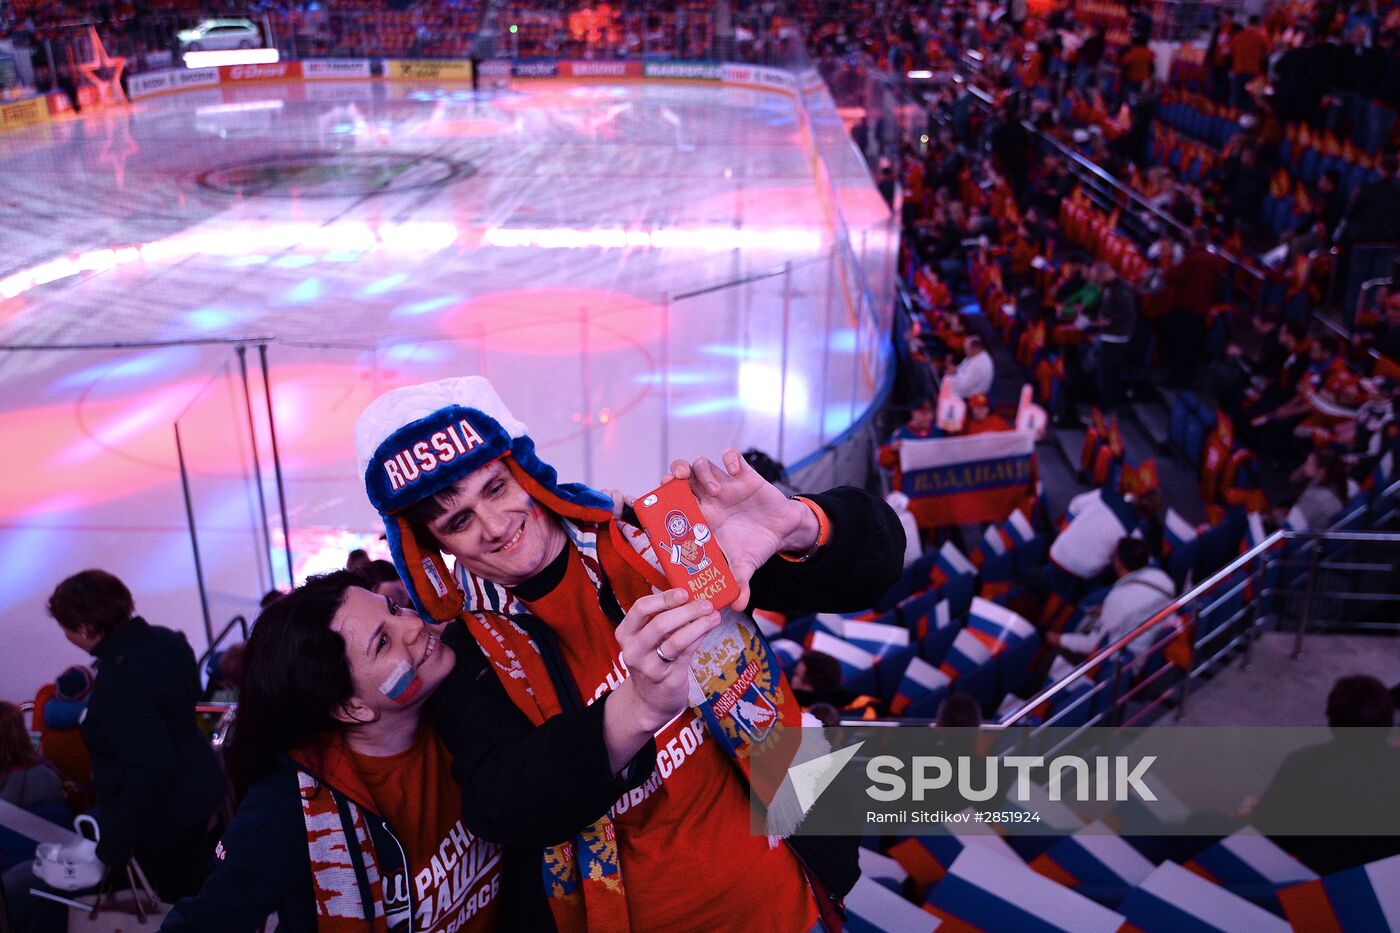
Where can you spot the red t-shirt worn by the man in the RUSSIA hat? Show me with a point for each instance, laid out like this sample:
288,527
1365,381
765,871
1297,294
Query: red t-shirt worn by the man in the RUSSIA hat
688,857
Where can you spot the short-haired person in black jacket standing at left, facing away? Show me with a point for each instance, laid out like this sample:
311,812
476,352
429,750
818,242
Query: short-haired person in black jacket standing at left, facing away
156,778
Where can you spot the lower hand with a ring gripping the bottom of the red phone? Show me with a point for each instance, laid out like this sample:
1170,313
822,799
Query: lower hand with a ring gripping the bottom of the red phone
657,690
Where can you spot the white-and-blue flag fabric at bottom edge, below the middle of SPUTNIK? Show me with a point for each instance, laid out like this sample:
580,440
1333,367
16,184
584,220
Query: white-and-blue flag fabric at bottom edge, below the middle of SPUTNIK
995,893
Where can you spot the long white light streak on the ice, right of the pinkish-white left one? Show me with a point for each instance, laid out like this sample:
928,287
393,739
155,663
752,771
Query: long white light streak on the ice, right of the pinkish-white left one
701,239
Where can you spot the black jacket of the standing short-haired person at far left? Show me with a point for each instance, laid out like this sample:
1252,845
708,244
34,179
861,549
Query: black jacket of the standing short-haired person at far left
153,771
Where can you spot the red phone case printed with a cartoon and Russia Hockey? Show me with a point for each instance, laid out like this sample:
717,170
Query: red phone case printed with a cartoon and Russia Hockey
685,544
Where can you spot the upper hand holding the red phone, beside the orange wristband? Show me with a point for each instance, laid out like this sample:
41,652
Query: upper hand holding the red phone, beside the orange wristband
751,518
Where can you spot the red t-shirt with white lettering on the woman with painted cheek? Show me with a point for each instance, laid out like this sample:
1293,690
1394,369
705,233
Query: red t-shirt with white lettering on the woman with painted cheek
456,878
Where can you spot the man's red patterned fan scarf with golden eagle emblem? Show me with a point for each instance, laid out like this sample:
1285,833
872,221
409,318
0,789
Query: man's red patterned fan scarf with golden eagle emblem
737,686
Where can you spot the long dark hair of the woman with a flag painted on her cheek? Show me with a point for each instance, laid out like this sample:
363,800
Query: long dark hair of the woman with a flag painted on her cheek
295,679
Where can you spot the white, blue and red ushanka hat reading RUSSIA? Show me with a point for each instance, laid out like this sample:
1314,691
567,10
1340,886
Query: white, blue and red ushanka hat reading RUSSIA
416,442
